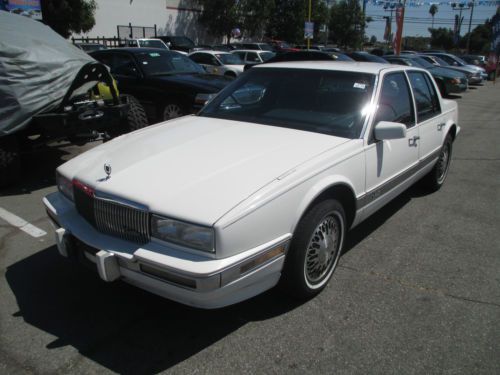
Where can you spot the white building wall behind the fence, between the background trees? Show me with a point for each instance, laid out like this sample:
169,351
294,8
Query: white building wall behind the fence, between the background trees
171,17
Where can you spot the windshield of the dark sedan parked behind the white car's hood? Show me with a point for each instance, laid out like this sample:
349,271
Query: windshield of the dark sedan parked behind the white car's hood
166,63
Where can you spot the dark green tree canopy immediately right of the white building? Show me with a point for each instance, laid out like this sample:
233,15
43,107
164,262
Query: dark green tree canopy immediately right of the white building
220,17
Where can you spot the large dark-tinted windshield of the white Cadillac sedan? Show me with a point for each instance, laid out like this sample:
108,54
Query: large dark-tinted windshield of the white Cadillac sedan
321,101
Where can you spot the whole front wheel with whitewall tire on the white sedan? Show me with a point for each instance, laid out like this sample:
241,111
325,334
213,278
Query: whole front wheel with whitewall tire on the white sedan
315,250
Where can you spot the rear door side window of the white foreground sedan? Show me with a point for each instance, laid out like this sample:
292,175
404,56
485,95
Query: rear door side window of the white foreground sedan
425,96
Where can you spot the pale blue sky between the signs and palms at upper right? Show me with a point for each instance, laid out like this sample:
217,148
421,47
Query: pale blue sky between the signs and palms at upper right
418,19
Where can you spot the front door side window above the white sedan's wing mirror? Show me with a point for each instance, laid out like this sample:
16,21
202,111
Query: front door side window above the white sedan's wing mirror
395,102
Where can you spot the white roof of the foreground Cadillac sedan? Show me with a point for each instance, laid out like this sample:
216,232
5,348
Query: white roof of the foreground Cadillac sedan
347,66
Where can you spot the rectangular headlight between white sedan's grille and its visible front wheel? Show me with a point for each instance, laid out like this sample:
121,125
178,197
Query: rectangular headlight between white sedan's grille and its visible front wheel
182,233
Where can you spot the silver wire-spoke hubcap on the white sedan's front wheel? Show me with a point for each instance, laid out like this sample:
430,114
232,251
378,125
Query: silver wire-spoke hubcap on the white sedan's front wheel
322,249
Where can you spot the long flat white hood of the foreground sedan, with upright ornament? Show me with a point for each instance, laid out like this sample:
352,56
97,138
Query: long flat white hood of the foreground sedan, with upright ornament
195,168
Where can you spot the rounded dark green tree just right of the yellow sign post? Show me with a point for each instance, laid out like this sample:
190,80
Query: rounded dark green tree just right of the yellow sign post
347,23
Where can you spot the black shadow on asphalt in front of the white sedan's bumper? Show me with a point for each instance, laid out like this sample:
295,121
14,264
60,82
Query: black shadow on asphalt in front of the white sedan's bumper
122,328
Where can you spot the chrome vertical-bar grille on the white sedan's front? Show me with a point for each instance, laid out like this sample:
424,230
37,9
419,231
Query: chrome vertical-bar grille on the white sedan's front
122,221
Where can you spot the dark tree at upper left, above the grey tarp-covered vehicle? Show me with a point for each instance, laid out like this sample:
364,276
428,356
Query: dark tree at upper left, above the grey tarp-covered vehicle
69,16
